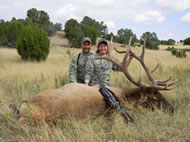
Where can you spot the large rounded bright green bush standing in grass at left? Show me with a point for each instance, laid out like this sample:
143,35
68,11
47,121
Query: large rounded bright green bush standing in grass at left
33,44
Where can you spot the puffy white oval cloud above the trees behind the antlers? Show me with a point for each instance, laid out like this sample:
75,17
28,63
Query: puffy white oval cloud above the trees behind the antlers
149,17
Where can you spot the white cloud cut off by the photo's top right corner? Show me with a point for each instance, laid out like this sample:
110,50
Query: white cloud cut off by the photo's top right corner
173,5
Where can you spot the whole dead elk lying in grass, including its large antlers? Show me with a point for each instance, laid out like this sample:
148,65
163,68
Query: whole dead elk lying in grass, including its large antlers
81,101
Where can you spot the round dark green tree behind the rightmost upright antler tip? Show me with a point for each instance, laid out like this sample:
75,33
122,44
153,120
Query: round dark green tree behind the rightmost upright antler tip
152,41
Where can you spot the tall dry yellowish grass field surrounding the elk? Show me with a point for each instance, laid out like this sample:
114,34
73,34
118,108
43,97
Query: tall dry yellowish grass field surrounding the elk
20,80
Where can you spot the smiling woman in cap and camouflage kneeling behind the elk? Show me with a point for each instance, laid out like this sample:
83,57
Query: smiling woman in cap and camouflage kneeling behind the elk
100,68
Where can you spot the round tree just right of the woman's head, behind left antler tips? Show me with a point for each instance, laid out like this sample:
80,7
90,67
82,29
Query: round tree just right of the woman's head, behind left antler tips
123,36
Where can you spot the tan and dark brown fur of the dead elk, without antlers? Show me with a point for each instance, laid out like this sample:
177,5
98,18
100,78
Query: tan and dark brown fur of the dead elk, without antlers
81,101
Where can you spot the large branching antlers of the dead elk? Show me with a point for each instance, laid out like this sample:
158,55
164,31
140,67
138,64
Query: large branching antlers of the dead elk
157,84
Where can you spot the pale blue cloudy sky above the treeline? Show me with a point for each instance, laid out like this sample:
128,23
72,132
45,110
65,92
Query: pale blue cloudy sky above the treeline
169,19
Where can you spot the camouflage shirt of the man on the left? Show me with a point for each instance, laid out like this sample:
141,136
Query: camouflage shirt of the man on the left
76,71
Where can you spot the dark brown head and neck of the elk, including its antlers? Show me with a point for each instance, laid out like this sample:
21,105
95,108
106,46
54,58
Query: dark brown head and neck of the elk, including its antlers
146,95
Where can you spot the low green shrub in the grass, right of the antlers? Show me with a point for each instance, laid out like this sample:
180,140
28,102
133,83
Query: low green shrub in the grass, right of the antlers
179,53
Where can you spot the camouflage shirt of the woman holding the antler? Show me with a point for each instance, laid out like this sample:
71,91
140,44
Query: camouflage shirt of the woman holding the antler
100,69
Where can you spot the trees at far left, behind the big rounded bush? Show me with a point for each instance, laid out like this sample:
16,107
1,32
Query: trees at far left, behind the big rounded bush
11,30
